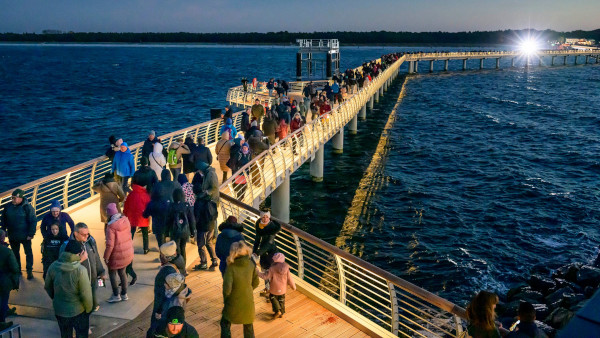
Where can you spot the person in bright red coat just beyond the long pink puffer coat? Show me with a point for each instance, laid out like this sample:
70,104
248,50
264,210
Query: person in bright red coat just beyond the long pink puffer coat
134,207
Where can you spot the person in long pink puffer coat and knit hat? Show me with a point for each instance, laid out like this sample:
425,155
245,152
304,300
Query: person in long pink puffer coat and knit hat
119,251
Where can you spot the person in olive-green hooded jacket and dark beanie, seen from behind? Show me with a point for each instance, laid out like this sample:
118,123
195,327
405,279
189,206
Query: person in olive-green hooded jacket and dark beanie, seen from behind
68,286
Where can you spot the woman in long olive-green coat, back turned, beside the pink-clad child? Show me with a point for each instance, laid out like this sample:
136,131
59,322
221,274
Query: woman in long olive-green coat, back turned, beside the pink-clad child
239,281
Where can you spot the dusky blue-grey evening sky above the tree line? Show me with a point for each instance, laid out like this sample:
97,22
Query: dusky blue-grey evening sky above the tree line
201,16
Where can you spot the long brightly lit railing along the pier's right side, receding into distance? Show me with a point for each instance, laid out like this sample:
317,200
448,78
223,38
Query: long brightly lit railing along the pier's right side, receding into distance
268,170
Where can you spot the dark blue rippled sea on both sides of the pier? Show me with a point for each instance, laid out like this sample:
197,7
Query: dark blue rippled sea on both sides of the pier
485,176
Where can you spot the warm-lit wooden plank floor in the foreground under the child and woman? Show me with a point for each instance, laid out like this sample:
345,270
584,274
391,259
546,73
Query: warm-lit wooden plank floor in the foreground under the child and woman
303,318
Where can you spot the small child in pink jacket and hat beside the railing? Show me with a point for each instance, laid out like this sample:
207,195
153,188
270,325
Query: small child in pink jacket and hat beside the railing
280,277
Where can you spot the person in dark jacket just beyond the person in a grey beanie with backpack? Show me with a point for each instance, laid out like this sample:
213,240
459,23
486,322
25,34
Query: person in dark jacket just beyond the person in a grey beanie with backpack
181,224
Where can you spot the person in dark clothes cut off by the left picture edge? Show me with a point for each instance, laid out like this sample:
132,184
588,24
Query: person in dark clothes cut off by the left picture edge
9,279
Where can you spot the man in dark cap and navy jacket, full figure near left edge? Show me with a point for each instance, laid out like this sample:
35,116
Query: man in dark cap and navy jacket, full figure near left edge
19,222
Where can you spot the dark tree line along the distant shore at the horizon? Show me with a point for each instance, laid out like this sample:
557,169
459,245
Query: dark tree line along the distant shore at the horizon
284,37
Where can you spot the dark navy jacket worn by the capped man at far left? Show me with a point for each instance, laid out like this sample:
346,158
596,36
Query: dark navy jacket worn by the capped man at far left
19,221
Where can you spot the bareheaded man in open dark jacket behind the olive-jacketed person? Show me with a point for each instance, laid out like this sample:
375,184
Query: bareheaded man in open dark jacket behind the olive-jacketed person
90,259
